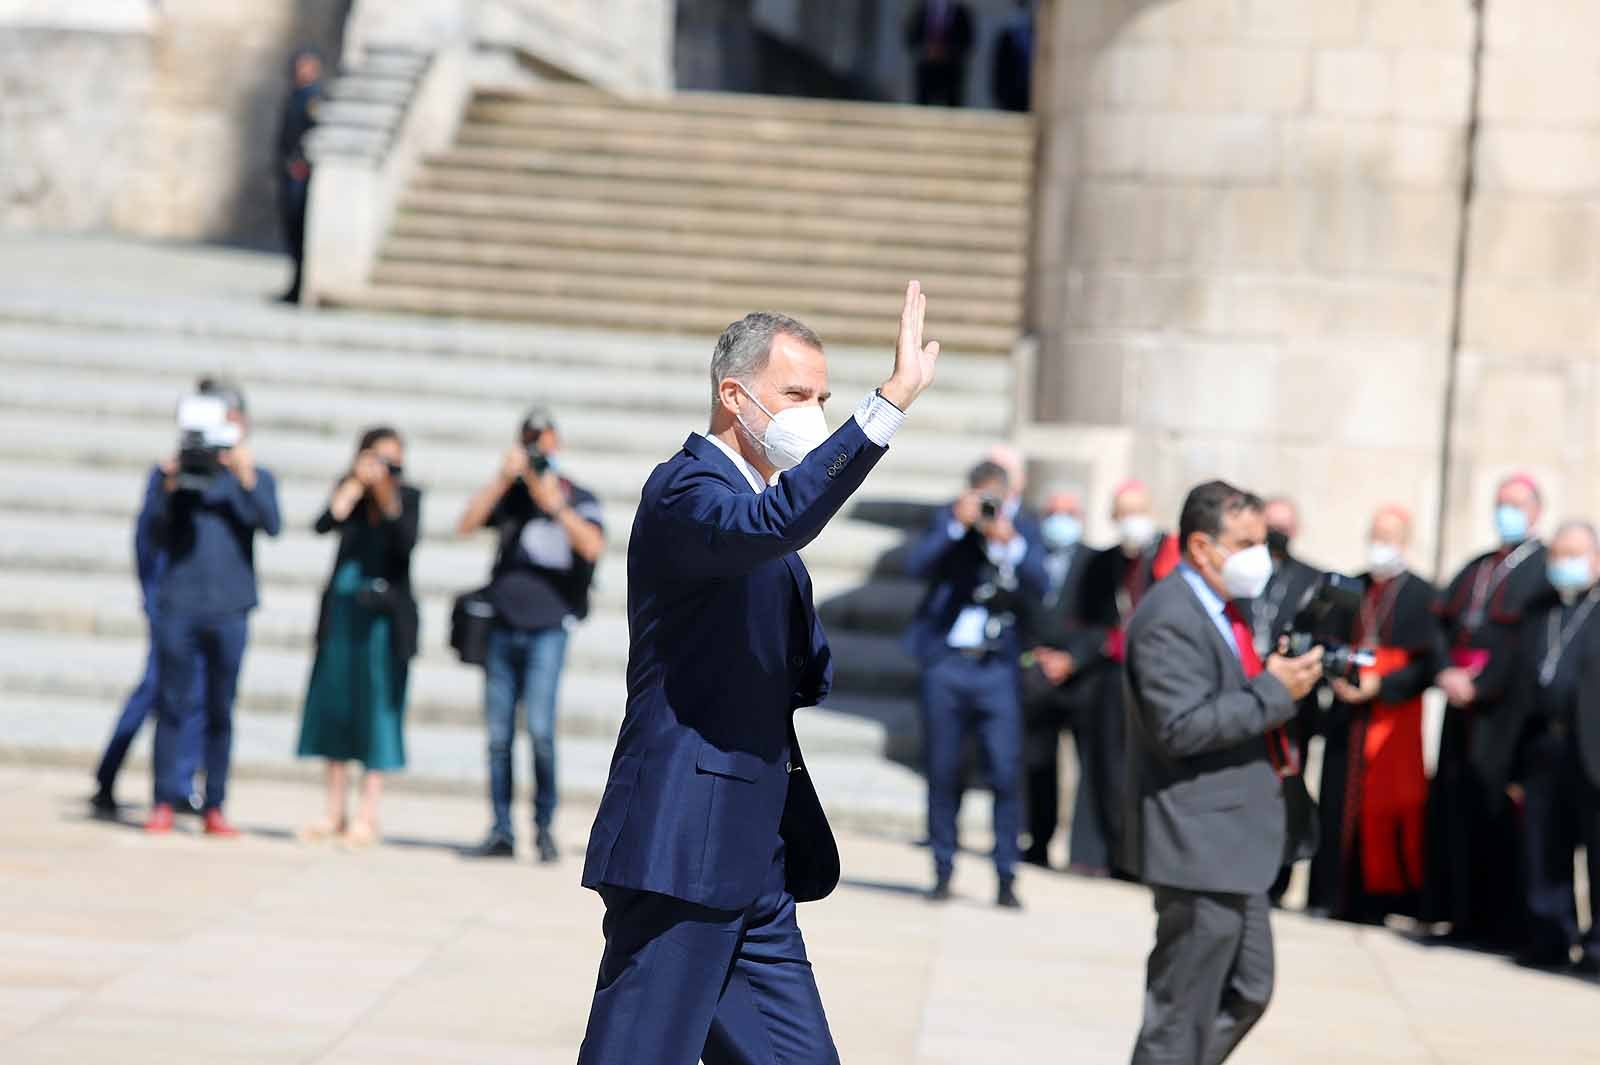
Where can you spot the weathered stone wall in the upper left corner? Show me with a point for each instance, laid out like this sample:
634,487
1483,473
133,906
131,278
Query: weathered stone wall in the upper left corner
158,127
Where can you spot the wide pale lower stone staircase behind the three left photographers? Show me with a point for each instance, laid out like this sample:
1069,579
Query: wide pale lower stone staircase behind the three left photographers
90,389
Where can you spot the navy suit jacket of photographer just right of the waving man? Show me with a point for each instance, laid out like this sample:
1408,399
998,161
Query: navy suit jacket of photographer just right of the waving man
954,570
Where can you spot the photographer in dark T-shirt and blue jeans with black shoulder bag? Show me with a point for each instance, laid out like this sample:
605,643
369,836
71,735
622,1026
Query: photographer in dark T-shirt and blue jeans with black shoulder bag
551,536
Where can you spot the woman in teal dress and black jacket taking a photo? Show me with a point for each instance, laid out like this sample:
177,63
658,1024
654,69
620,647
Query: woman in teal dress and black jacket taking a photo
366,637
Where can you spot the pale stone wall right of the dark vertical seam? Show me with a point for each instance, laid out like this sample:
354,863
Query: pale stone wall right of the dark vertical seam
1527,378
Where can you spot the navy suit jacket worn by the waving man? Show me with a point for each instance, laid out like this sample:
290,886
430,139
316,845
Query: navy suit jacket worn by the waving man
724,647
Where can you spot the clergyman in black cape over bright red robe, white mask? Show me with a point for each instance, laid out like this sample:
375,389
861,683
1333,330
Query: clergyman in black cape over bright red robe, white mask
1374,786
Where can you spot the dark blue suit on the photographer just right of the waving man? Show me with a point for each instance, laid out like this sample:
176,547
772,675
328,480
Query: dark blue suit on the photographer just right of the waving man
974,688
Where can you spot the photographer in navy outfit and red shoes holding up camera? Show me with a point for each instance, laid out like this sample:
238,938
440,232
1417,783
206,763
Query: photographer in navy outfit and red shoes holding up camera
217,501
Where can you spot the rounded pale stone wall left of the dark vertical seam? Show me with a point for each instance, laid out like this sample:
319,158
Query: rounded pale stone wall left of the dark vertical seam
1247,234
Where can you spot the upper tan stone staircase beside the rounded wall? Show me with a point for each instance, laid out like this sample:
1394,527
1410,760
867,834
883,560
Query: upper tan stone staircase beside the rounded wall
572,207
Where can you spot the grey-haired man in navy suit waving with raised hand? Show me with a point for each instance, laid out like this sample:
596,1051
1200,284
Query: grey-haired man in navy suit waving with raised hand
710,831
